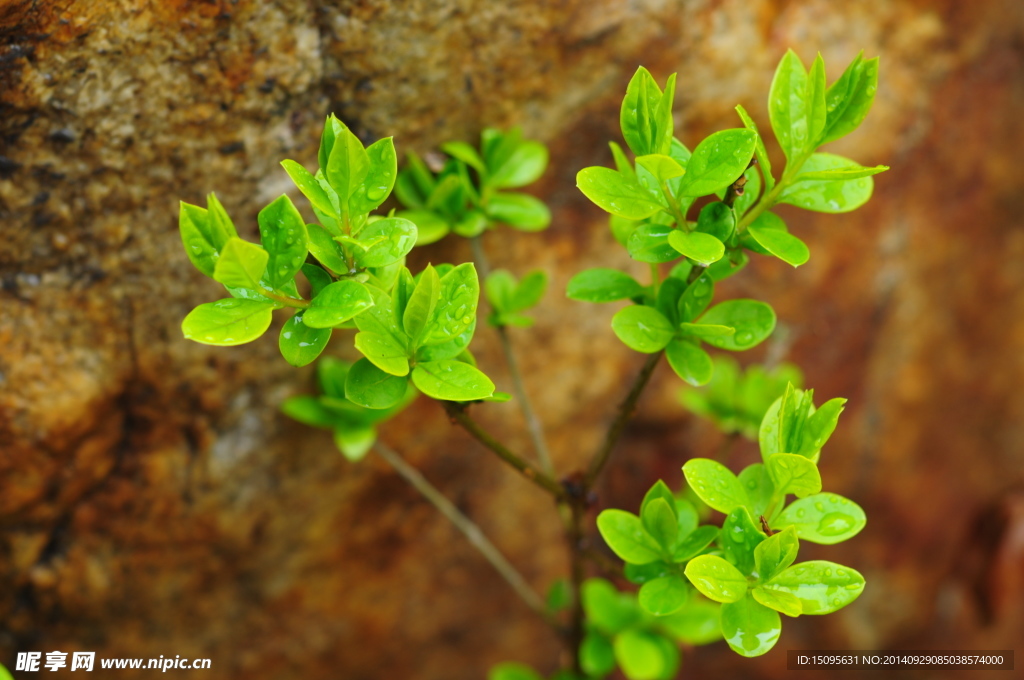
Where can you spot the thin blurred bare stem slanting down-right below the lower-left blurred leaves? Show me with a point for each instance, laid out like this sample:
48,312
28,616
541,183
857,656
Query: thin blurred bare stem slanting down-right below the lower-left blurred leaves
467,527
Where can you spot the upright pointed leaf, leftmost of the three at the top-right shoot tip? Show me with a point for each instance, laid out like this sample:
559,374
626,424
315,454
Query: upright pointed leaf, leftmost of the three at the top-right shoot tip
789,107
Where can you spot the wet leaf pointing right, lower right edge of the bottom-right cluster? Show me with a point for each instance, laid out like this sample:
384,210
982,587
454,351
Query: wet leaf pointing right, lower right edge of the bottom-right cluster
822,587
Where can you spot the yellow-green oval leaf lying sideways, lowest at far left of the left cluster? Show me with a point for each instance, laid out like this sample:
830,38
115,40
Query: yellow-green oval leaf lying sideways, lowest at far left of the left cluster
229,322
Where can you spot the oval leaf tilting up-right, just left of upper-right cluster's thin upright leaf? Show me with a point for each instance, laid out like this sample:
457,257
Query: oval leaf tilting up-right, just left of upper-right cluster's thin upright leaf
718,161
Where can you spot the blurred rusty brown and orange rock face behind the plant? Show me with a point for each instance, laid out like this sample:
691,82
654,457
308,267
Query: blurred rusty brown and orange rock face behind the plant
155,502
